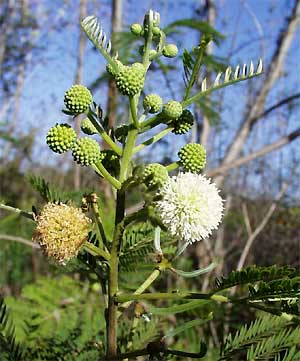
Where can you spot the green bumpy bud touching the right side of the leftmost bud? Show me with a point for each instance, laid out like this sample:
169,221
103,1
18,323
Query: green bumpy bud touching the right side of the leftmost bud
86,151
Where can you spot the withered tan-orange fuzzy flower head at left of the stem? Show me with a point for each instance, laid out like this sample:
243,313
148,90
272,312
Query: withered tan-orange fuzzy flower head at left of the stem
61,230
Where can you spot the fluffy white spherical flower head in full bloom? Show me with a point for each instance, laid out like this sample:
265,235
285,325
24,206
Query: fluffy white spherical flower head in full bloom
191,207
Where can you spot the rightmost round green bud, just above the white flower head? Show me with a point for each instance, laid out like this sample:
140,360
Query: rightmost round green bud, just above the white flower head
192,157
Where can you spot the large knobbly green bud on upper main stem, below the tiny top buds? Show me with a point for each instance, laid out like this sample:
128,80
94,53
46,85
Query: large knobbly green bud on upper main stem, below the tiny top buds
130,80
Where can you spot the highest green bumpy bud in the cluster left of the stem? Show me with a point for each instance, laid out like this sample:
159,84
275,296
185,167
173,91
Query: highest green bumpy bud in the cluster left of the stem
77,99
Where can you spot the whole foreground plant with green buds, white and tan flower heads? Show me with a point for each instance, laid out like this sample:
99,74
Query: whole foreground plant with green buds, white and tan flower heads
180,202
